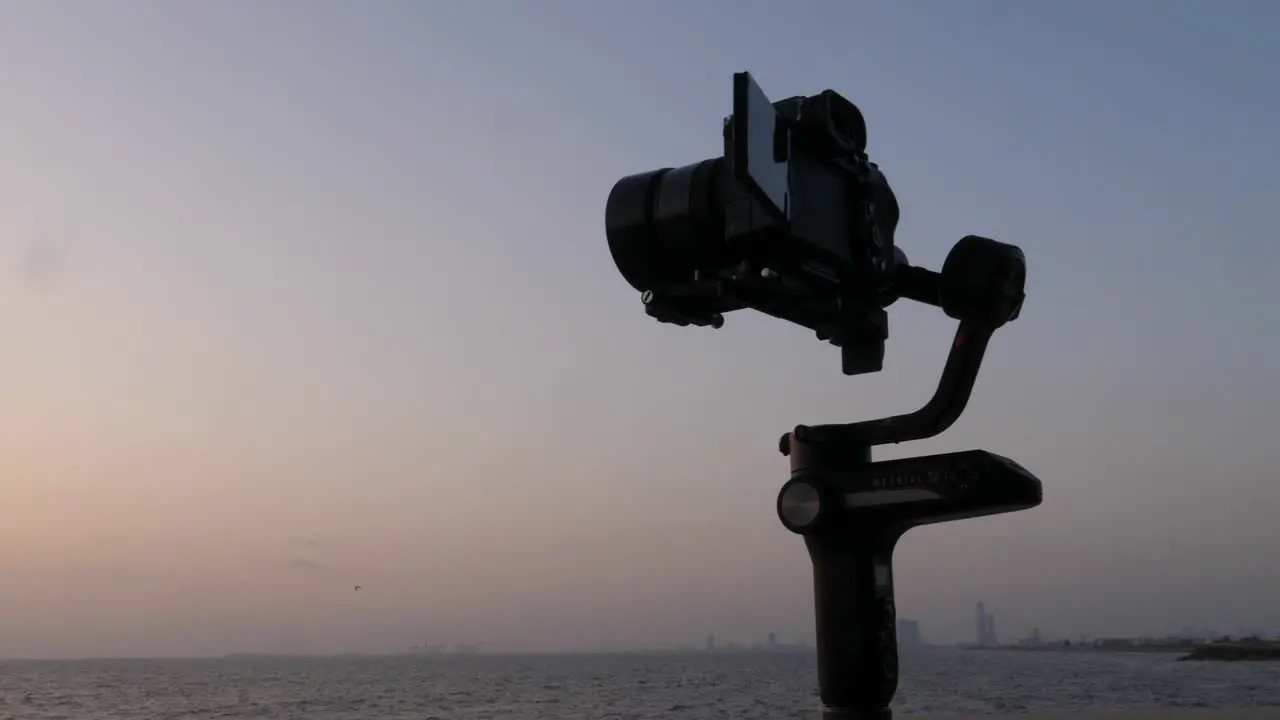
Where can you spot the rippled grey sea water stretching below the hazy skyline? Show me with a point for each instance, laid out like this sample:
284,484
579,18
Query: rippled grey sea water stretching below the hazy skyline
609,687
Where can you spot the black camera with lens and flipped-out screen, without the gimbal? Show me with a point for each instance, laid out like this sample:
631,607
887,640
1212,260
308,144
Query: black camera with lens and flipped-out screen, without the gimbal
794,221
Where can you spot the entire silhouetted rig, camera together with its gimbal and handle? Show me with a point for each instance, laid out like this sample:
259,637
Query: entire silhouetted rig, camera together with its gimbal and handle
797,222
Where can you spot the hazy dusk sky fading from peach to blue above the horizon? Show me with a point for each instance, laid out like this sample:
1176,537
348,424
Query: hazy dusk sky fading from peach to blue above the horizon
299,297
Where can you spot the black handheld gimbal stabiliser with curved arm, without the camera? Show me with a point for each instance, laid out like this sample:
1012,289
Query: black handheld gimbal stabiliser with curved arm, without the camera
853,512
